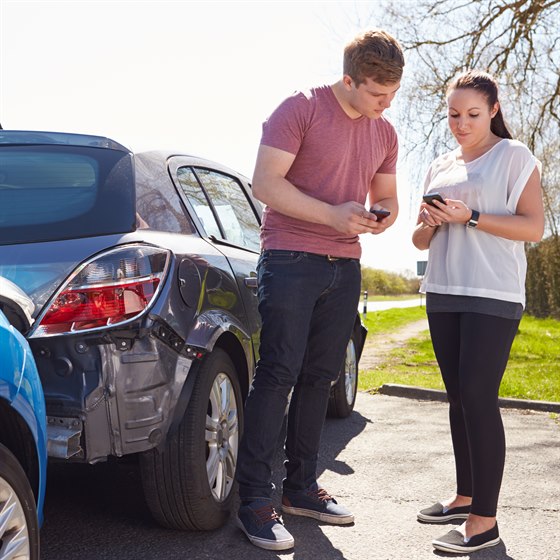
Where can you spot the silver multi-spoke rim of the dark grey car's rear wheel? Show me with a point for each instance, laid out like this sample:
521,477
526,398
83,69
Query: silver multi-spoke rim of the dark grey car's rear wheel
222,437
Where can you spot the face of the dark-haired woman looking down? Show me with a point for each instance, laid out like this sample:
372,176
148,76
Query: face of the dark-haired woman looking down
469,117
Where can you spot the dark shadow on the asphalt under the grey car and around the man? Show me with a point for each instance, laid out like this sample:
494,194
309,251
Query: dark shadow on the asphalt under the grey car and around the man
97,512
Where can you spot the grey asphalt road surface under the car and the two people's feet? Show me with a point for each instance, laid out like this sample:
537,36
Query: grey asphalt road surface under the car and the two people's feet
391,457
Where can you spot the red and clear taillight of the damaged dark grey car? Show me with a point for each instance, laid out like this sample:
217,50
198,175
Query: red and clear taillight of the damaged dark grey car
115,287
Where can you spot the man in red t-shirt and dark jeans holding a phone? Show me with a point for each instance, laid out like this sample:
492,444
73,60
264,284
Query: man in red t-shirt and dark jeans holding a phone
322,152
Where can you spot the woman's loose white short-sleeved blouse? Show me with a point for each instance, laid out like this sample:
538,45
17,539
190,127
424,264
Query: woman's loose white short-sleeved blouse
467,261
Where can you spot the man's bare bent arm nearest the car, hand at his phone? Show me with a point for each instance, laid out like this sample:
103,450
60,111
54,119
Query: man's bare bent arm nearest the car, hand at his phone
271,187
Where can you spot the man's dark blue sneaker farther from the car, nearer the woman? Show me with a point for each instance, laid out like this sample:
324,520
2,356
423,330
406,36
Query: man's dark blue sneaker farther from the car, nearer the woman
315,502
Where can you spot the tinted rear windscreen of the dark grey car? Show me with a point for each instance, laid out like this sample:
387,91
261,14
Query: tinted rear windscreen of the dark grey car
63,192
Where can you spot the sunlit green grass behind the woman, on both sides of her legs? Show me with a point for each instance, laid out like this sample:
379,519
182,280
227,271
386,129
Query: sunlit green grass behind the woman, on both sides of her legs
533,370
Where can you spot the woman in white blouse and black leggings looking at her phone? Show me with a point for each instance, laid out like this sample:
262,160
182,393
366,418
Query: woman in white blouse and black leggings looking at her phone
474,284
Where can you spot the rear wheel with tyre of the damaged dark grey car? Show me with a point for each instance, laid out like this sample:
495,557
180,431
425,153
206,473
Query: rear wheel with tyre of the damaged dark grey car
190,483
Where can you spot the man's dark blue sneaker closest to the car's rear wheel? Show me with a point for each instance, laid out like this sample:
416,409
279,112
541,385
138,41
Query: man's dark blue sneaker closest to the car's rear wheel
263,527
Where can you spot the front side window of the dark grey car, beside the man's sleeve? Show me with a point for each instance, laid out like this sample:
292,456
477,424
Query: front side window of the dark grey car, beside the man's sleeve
237,217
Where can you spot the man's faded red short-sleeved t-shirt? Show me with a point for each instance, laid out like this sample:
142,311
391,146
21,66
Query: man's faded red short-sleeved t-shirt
336,159
